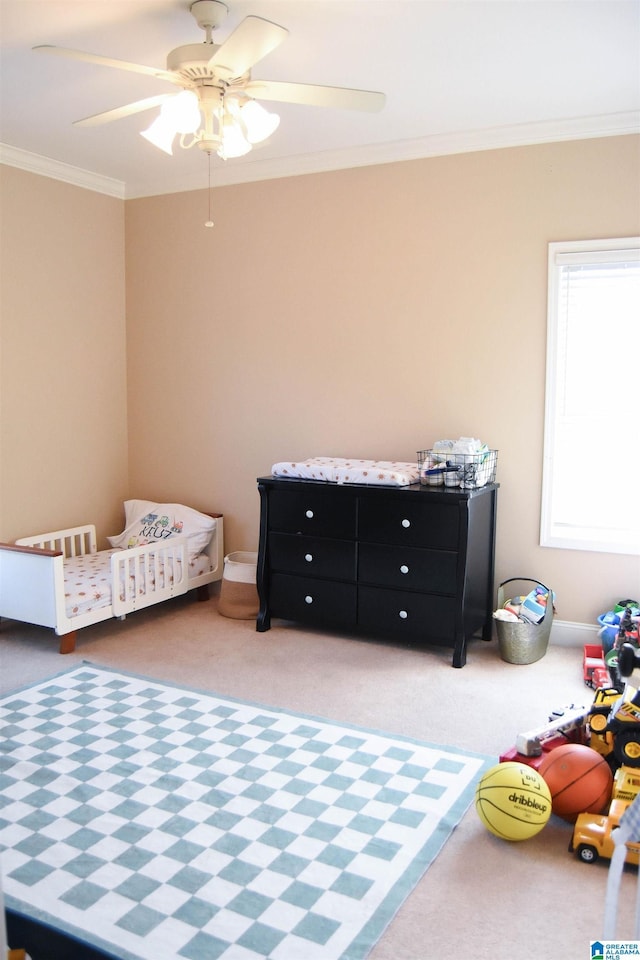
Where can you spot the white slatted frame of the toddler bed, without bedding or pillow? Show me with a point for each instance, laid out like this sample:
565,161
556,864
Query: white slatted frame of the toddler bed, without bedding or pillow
32,577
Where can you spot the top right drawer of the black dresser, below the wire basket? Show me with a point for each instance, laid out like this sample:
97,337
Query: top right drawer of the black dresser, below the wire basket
403,520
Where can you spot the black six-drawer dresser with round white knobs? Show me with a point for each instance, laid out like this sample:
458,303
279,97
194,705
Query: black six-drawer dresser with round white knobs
411,564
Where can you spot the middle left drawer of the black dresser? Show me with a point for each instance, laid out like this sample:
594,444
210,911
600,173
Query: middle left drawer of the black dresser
313,556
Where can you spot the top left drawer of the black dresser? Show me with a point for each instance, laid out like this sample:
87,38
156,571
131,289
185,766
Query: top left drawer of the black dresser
312,513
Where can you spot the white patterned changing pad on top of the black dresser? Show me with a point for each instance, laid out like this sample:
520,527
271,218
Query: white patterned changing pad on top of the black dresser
338,470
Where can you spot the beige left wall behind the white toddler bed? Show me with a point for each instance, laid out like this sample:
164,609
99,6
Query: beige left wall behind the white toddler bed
63,426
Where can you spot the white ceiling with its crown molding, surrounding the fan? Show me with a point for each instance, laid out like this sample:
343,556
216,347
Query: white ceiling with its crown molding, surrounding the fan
458,75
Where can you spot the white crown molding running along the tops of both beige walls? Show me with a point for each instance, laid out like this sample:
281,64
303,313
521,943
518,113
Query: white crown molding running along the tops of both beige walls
251,170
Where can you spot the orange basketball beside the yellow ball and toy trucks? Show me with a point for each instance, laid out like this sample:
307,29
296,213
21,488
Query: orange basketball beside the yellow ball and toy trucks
579,779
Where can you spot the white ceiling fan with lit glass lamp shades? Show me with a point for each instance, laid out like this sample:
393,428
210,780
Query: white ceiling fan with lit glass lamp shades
217,107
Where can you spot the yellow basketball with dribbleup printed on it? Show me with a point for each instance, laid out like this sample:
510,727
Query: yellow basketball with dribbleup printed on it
513,801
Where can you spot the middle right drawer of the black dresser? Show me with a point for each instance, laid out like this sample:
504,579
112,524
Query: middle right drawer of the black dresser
408,568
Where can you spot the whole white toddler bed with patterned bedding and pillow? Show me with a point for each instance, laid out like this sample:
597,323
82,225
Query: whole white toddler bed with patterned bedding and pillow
60,579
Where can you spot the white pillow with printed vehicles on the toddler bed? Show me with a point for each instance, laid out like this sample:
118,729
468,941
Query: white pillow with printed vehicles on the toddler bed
149,522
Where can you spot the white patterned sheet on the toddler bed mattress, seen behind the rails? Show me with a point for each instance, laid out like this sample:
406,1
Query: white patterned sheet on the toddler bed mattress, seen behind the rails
87,580
